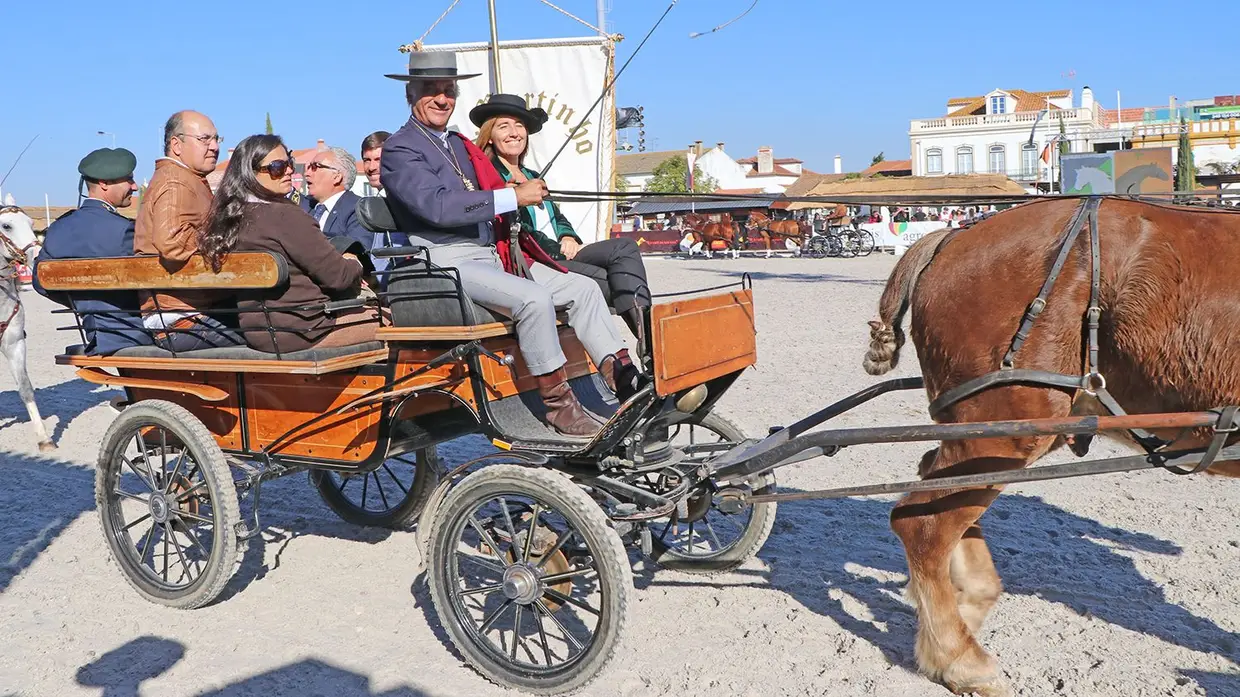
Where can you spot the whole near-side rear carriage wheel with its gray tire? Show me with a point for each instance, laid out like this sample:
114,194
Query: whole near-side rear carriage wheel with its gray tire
168,505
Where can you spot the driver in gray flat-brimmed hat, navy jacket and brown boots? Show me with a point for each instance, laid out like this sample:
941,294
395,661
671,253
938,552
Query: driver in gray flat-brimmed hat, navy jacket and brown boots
447,194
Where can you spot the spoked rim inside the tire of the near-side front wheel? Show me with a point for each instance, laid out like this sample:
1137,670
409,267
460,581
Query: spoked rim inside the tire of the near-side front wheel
534,603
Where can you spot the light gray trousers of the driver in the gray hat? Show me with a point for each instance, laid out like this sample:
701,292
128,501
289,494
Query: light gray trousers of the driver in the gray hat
533,304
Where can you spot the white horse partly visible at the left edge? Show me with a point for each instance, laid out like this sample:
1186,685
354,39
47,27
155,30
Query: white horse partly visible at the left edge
18,246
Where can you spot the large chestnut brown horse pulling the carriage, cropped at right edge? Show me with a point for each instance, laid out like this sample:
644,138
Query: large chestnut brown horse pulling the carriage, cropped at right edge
1167,343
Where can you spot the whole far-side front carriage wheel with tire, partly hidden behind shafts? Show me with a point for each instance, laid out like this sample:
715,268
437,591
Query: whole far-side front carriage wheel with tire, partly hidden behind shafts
710,540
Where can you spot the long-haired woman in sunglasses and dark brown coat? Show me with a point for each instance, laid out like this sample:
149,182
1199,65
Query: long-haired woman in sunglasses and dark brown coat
251,214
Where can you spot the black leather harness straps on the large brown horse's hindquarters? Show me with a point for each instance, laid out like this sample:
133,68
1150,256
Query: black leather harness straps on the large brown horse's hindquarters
1092,383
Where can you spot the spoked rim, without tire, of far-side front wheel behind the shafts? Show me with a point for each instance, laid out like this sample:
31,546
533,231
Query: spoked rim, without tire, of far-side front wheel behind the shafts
707,531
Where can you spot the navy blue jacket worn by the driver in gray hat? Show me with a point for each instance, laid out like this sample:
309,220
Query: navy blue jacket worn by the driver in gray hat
425,193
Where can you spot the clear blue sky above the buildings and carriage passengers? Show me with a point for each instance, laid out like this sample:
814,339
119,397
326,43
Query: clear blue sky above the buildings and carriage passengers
812,79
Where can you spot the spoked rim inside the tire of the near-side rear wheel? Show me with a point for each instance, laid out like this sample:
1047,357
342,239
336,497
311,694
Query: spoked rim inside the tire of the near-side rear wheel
161,510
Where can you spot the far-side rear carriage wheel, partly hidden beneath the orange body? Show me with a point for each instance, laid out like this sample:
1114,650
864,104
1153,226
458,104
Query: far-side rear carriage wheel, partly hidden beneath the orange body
391,497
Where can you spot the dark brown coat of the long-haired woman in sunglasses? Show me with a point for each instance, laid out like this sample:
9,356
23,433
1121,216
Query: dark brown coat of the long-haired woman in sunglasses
317,275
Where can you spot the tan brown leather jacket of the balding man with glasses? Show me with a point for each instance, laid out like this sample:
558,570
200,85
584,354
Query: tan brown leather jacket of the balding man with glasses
174,210
